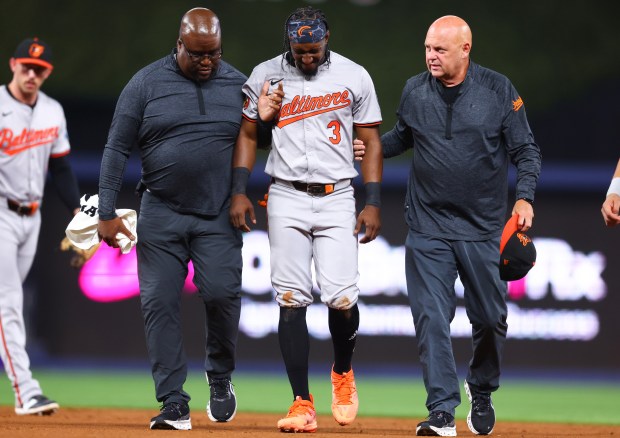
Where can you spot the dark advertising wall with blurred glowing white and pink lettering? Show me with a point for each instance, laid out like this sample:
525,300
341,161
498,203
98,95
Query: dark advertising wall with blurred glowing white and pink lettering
563,314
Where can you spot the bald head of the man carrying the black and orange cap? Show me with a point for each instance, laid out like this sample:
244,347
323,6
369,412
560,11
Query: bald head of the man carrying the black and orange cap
448,43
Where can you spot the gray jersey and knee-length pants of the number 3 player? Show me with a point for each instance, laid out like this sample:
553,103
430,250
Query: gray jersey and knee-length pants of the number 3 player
312,143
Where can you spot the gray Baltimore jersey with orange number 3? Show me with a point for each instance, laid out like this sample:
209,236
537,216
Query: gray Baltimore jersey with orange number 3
313,133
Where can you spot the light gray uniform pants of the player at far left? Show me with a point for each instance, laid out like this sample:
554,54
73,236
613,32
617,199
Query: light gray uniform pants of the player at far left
18,245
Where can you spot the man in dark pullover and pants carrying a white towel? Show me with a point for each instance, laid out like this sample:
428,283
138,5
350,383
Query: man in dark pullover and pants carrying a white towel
183,112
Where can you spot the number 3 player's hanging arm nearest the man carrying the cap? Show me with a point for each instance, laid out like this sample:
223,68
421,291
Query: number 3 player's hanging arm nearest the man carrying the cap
372,171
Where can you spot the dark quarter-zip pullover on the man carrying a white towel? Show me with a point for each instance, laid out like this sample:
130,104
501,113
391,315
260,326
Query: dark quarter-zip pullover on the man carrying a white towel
185,131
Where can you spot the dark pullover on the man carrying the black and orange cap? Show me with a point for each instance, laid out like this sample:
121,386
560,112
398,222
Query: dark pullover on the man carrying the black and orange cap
458,181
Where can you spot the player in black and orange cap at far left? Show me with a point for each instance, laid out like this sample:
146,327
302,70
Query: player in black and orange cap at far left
33,136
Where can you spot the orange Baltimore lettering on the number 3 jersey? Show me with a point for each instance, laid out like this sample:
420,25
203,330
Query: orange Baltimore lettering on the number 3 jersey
302,107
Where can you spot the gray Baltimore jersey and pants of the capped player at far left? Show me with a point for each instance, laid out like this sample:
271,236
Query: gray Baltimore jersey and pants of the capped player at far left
29,136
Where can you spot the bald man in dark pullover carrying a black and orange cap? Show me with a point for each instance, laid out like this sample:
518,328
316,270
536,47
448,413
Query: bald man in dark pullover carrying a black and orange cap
465,123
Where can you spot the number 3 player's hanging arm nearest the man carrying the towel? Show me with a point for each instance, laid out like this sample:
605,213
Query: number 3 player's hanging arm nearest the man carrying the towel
244,158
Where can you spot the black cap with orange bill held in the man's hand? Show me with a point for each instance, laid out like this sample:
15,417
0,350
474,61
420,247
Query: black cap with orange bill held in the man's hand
517,252
